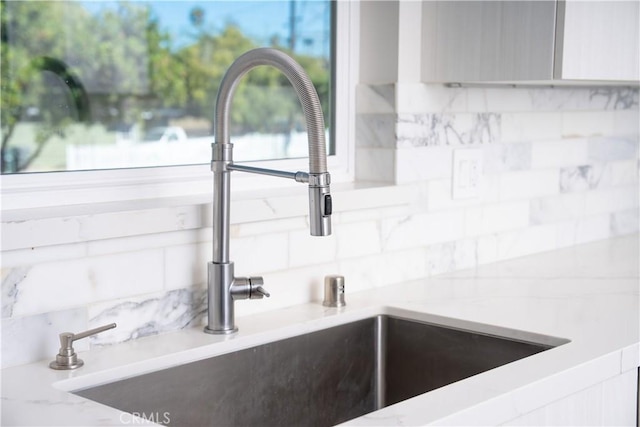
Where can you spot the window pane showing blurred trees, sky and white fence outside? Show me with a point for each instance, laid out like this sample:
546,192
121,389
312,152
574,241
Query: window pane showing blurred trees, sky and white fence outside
126,84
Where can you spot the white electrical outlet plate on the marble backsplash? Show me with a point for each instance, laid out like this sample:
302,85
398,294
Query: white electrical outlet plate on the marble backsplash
467,173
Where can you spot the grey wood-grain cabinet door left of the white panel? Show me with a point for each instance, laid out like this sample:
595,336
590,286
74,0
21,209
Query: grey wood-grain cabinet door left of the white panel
487,40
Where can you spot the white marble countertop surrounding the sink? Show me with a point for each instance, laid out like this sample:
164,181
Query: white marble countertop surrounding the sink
587,294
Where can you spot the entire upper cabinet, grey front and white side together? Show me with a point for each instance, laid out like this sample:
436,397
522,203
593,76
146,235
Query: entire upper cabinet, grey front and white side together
530,41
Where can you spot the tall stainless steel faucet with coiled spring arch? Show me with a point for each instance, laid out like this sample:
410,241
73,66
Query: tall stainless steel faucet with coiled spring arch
223,286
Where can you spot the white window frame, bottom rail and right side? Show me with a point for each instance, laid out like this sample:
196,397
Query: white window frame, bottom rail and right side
71,188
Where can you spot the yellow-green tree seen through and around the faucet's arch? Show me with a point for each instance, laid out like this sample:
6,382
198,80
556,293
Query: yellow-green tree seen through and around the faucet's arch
264,100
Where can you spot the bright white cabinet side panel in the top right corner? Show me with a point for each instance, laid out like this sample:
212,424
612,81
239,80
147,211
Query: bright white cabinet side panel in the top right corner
598,40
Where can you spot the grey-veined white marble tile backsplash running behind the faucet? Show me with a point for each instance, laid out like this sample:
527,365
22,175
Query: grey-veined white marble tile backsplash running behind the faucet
560,167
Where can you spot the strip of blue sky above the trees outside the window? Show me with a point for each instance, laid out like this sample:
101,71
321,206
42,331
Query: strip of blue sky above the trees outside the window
259,20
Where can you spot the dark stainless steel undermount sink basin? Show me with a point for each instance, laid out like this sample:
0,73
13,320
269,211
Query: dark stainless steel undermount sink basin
321,378
